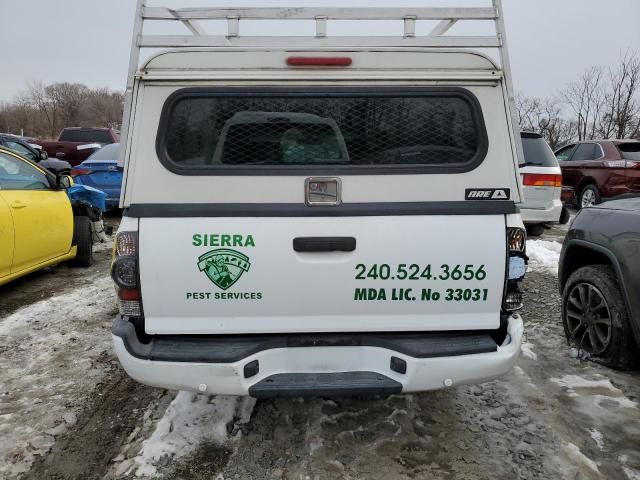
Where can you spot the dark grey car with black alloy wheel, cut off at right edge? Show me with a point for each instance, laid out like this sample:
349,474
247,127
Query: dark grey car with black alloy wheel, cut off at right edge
599,277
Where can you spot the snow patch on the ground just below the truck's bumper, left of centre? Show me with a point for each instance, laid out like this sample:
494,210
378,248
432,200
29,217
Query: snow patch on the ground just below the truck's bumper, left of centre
190,420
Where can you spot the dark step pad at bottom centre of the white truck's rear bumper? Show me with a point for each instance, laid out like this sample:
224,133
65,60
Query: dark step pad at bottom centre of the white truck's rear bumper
325,384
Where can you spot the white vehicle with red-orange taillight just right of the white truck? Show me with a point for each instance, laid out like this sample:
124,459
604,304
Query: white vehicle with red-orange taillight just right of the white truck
542,182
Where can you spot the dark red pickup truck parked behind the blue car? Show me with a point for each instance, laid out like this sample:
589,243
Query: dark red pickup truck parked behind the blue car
75,144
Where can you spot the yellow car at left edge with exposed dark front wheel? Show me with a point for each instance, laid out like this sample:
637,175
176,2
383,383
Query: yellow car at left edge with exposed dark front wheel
37,224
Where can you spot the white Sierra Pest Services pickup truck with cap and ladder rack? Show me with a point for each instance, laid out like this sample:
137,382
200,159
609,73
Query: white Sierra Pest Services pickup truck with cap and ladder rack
319,215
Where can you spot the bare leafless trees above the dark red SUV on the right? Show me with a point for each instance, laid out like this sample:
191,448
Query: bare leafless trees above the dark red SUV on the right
601,103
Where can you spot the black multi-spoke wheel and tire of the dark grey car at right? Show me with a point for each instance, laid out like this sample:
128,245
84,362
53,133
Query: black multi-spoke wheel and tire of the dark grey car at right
595,316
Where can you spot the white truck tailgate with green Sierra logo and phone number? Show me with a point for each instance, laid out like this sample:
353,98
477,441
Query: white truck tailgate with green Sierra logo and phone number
329,274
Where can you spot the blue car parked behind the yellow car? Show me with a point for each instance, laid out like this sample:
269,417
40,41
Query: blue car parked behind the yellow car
101,171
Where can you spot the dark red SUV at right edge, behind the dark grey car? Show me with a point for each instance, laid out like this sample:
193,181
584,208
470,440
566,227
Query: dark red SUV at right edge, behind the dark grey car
596,170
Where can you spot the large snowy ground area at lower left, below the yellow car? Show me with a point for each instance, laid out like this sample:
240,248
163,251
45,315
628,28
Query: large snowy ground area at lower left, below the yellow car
50,352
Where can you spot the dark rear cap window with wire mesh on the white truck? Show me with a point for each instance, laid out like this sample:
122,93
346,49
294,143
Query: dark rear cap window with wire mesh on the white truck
214,130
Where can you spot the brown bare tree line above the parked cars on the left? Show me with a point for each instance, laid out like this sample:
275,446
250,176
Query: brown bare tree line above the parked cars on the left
42,111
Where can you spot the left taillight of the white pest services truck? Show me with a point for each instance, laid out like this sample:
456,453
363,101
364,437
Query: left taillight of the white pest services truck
125,274
